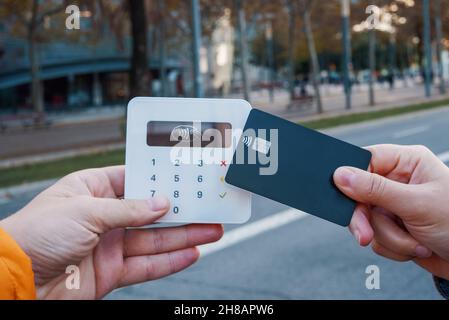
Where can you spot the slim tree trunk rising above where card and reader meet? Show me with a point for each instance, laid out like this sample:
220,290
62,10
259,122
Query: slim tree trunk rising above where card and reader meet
243,50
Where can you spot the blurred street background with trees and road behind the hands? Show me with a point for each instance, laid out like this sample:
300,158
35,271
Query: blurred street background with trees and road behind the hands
365,71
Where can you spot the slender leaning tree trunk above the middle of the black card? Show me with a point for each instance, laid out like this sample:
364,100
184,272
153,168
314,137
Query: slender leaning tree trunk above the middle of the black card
313,58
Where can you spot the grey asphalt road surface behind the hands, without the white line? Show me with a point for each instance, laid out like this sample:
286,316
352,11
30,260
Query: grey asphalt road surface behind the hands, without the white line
305,258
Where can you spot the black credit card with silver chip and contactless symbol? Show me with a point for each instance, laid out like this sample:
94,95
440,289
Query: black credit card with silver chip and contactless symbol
294,165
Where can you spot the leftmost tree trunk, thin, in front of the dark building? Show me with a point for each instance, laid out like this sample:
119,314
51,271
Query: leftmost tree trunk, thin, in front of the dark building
36,88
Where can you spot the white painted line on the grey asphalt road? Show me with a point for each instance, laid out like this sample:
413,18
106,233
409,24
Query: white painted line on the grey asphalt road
261,226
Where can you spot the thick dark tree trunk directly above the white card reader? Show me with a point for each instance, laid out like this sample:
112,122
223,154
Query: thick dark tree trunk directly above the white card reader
139,75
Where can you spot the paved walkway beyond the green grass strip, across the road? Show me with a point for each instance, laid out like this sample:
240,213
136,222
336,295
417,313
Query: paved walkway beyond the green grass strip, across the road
101,129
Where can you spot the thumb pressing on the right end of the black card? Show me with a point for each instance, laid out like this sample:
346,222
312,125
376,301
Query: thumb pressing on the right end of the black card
373,189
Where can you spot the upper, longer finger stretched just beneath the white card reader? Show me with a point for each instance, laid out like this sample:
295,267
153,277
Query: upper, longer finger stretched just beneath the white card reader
159,240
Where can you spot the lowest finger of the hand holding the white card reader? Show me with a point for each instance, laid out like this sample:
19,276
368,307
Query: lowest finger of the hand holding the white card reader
144,268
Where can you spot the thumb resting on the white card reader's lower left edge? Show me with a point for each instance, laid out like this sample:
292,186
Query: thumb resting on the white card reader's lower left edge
107,214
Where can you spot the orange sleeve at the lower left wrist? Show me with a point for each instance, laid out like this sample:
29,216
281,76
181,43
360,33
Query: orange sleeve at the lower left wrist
16,274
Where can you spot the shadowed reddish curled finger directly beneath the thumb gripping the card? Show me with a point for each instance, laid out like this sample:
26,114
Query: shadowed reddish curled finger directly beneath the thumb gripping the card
395,239
